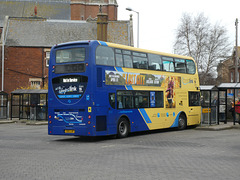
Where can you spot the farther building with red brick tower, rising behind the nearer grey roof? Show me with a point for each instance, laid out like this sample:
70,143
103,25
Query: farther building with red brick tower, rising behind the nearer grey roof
58,9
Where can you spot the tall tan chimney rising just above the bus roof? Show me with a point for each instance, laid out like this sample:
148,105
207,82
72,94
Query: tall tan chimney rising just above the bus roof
102,22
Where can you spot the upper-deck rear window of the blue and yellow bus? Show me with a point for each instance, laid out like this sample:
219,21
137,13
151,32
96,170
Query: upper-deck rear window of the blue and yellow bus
70,55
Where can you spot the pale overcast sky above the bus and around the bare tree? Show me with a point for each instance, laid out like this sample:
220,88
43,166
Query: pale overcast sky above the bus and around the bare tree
159,19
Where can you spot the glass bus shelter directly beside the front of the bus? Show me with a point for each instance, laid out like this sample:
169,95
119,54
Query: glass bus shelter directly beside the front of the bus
209,103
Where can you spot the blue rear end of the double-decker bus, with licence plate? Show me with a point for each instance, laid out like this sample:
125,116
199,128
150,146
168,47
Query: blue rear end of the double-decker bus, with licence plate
69,90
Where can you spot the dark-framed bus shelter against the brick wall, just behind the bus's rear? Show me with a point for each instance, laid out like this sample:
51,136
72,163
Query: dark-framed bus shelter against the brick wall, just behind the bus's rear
30,104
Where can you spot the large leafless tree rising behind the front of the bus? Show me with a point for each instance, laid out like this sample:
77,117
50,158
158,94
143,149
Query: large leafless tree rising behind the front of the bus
206,43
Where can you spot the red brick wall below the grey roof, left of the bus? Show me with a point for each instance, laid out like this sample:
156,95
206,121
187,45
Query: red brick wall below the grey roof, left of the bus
22,63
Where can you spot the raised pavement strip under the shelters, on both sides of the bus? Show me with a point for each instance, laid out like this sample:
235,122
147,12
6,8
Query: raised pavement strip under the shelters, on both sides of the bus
206,127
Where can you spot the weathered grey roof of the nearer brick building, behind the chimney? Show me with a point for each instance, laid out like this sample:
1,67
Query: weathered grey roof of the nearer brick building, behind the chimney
41,32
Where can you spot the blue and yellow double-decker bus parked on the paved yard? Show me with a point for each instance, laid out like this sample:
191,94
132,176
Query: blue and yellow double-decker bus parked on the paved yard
99,88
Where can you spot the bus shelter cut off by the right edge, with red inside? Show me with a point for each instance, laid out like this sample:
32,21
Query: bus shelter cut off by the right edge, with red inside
232,93
